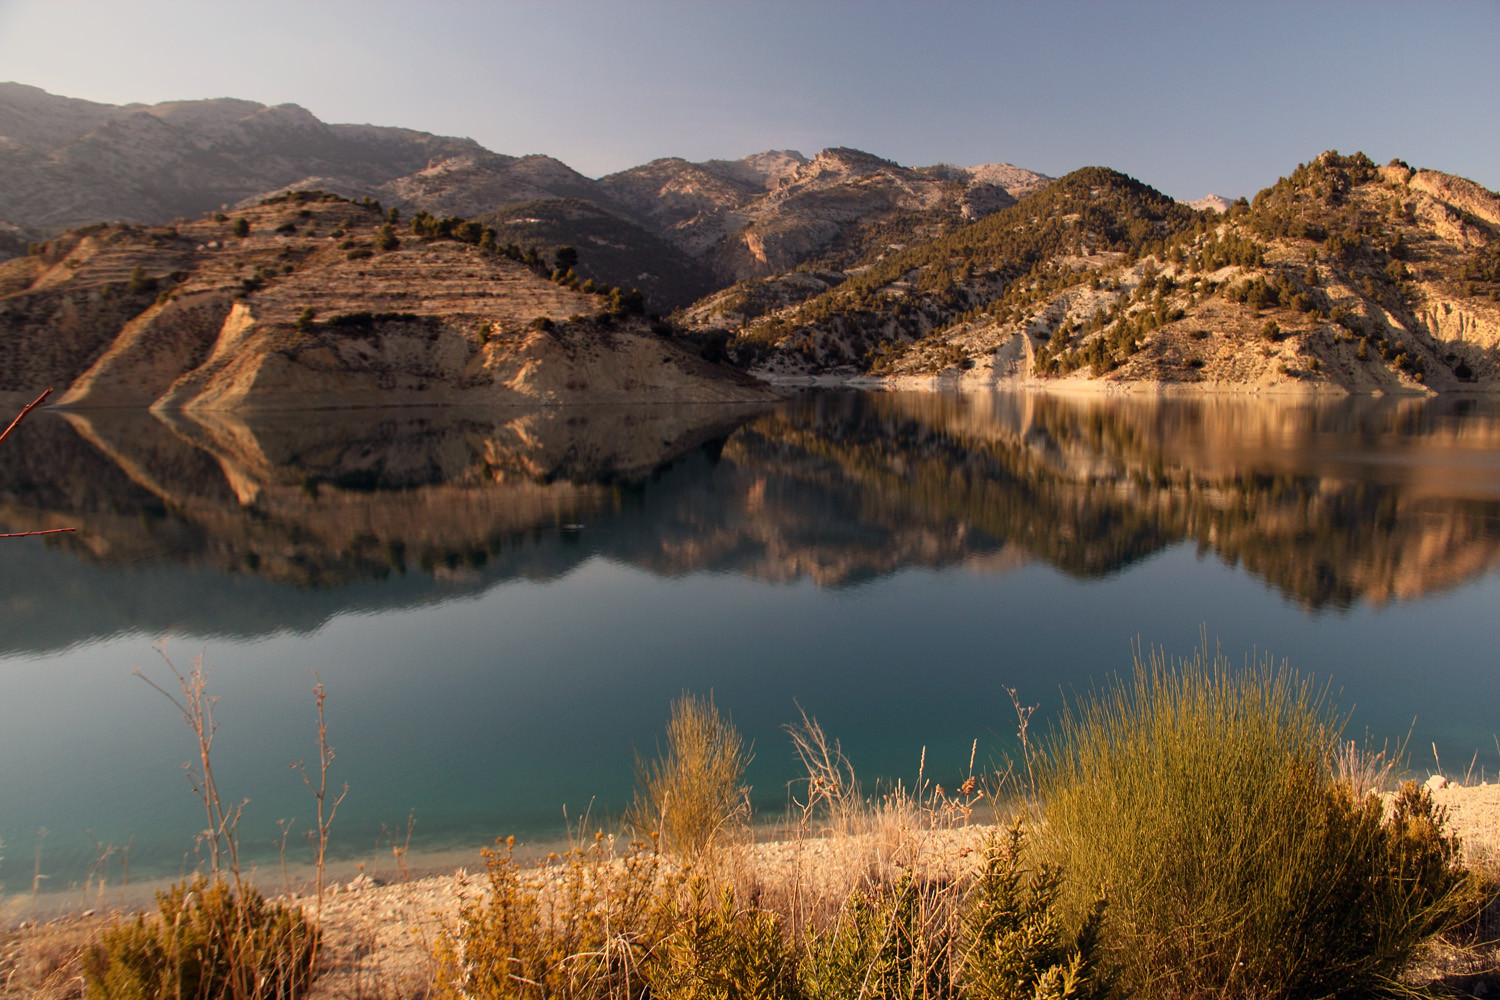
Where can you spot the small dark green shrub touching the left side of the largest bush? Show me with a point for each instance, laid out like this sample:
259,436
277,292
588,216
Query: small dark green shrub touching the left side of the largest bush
1016,945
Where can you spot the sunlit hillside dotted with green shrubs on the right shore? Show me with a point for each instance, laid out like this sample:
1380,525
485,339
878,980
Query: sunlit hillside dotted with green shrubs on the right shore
1340,278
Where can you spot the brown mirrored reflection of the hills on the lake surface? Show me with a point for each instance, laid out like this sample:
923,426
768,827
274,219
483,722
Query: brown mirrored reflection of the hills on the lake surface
1331,503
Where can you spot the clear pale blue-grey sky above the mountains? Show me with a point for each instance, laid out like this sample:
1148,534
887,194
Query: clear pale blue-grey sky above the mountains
1187,97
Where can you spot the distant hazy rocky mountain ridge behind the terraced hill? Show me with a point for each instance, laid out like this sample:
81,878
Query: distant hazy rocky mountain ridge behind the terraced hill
76,163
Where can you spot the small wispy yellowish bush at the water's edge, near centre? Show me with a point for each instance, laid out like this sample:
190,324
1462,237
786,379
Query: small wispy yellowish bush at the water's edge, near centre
694,794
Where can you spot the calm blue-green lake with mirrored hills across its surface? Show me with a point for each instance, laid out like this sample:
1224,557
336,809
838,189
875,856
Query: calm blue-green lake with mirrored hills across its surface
503,605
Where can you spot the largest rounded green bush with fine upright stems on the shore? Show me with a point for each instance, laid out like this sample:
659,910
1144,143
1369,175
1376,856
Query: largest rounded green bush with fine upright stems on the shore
1202,798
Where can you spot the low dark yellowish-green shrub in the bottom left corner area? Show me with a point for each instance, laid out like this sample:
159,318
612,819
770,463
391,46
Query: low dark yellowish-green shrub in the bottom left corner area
206,942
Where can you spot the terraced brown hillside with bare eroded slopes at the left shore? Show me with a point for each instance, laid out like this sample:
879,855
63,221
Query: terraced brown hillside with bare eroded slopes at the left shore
305,301
